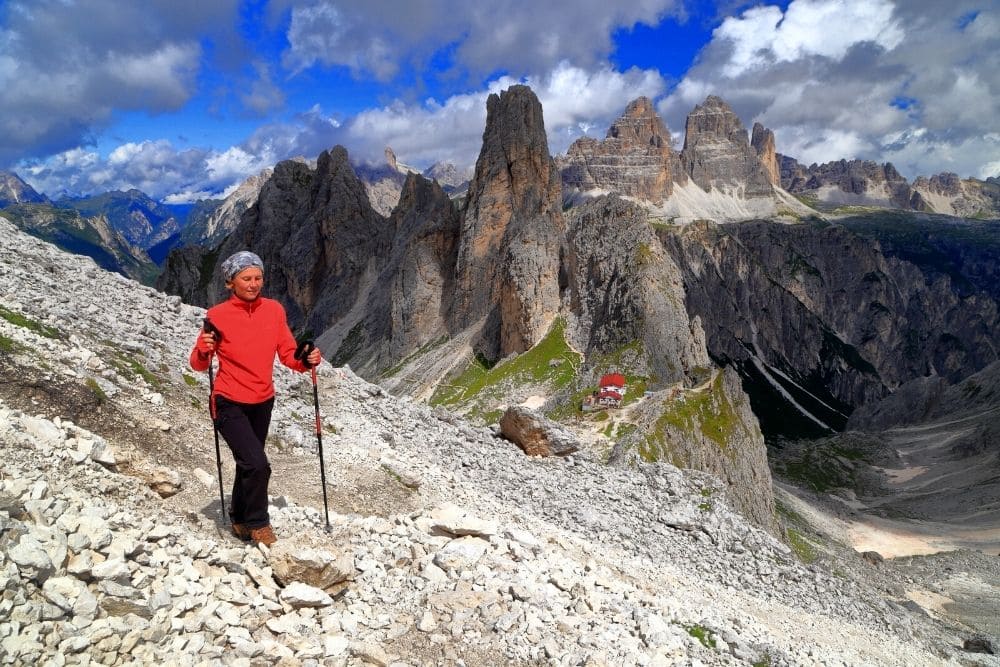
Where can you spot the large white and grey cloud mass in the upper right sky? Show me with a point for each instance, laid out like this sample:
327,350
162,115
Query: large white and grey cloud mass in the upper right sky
833,78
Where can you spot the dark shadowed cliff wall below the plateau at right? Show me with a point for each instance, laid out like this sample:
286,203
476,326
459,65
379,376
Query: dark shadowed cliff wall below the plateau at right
827,310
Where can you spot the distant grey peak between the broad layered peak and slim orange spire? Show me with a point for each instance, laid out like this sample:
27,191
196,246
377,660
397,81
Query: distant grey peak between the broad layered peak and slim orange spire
718,155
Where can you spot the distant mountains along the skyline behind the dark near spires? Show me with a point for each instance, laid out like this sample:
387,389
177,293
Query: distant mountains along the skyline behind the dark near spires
721,174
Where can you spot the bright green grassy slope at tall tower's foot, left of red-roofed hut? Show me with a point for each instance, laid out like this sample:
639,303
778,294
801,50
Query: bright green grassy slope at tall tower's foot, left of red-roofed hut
480,379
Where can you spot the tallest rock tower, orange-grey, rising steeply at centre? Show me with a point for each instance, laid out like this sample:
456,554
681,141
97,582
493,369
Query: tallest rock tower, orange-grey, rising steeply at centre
508,256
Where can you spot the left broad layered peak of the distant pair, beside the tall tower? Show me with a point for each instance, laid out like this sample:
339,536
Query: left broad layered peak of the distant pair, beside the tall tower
635,159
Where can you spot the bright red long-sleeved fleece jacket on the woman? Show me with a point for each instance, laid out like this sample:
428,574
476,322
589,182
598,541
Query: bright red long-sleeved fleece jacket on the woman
252,332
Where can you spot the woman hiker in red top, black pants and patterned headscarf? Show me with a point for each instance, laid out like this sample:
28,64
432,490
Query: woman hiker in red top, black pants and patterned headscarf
251,329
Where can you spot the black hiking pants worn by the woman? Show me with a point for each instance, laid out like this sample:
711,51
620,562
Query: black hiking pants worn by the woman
244,427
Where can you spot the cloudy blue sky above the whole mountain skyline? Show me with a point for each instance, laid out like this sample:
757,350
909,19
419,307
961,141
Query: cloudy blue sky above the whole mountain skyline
186,98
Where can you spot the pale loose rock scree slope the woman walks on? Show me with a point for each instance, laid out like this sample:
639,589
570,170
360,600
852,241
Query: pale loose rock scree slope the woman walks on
447,545
